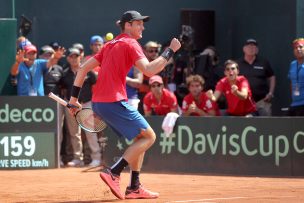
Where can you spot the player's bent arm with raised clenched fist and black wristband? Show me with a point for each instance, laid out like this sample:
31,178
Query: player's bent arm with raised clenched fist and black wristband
157,65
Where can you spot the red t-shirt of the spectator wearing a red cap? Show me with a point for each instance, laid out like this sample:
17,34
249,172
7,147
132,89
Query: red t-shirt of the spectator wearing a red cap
168,101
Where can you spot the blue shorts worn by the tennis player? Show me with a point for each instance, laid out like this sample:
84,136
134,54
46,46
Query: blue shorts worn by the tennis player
125,120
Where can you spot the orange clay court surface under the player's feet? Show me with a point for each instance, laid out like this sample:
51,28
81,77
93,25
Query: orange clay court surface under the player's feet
74,185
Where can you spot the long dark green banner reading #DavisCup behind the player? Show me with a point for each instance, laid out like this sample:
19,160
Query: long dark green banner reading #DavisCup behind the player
223,145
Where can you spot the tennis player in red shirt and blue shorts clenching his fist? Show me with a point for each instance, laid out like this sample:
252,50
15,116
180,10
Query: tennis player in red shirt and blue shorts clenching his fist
110,99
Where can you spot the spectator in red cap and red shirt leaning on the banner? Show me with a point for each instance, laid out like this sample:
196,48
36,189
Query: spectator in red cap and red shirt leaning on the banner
159,101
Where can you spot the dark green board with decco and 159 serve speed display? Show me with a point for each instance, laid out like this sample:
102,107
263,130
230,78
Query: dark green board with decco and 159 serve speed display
28,129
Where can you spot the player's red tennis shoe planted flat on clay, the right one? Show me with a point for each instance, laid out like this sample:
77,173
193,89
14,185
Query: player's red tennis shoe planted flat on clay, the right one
140,193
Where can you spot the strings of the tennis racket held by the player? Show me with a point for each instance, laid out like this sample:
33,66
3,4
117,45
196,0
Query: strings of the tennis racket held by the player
87,119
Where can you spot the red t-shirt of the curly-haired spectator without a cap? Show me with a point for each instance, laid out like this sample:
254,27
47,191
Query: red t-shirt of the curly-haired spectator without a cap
206,104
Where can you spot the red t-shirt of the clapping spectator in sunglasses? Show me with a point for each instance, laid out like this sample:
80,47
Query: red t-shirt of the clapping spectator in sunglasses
236,106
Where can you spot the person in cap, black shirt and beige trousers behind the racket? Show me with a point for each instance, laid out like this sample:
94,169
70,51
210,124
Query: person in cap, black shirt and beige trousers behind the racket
69,74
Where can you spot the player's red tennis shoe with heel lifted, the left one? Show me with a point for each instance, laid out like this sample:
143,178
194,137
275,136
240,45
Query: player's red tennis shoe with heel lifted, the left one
113,182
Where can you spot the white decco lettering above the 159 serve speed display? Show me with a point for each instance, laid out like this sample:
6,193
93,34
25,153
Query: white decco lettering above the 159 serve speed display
27,115
